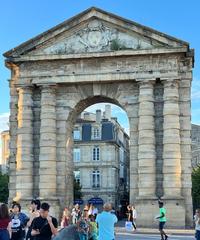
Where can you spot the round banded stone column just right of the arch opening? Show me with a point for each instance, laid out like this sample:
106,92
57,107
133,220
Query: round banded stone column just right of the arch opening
146,141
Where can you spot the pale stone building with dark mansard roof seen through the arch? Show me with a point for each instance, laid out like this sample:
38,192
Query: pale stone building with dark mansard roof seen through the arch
101,157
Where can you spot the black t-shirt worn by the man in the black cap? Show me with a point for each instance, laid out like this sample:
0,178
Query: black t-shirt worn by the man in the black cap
43,226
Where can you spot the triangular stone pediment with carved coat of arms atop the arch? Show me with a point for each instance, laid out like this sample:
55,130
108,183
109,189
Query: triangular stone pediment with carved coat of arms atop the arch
95,31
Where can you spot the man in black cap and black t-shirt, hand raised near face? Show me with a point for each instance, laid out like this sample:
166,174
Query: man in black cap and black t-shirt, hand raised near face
44,226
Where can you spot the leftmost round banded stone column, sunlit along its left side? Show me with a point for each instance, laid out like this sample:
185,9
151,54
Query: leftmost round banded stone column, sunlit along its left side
24,158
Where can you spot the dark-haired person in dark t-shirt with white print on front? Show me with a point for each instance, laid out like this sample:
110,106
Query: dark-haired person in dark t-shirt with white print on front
18,222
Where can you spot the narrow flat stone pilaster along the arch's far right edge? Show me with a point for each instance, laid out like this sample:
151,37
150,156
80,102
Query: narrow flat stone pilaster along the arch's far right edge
186,155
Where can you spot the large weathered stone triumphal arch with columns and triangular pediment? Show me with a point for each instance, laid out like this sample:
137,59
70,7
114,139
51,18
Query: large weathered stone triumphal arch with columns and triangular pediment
97,57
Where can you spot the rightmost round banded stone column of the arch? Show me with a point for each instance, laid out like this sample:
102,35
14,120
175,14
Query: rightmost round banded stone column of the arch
171,141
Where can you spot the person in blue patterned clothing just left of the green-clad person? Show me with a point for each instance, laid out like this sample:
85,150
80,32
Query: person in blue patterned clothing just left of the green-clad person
83,226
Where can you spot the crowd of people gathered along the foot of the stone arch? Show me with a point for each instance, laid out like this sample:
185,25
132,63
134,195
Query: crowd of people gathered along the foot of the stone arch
89,223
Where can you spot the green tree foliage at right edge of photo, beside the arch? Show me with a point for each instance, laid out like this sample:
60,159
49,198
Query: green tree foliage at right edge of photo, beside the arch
196,187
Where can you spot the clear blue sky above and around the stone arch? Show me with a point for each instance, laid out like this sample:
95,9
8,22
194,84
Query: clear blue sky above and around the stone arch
21,20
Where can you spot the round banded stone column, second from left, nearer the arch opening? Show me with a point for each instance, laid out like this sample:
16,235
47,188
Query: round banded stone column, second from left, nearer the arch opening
47,158
